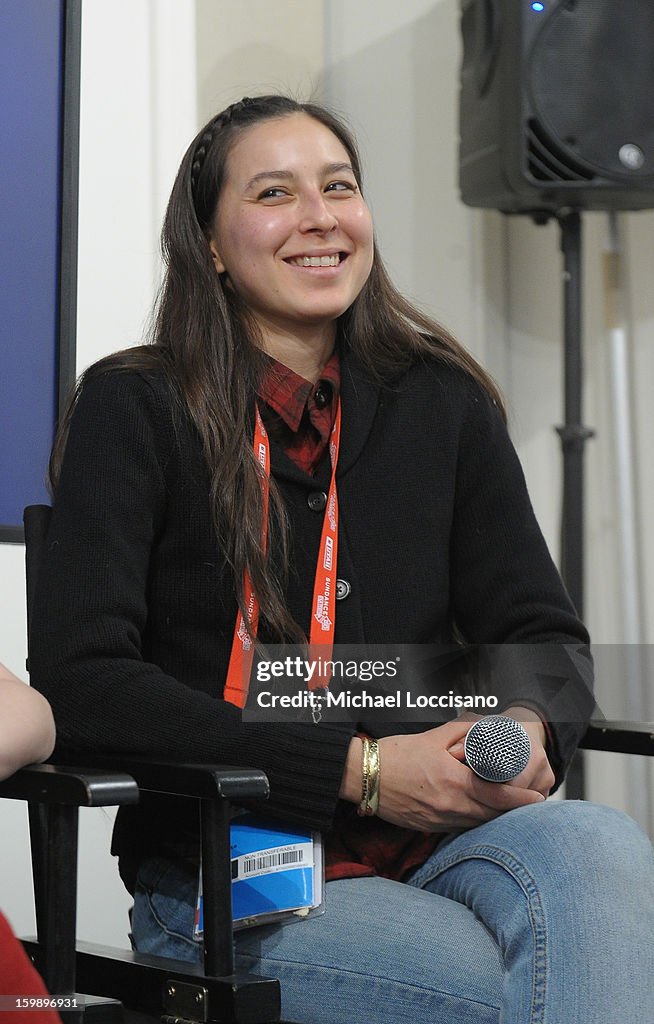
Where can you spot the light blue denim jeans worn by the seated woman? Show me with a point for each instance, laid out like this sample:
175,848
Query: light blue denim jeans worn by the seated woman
545,916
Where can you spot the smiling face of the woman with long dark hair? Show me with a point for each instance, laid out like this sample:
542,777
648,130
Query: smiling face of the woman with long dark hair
292,231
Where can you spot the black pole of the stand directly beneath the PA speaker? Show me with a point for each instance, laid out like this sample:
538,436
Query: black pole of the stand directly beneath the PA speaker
574,439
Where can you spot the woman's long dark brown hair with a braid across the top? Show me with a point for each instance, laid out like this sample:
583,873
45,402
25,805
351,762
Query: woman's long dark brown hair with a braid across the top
205,340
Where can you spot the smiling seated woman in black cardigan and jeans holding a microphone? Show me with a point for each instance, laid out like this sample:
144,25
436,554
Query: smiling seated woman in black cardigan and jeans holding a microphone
300,456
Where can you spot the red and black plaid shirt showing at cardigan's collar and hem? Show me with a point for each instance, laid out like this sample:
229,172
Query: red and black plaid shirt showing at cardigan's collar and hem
300,416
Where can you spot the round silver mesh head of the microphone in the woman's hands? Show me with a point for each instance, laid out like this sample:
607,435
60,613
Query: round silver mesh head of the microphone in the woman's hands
497,749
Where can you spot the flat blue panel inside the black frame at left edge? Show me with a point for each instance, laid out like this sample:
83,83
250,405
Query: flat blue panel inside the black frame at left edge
31,83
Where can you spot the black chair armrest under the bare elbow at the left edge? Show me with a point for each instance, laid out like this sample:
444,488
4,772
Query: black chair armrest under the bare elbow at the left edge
76,787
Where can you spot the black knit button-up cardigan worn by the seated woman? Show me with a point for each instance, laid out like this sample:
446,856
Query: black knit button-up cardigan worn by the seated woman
136,612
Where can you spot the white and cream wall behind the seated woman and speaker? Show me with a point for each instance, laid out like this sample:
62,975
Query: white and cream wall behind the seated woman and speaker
153,71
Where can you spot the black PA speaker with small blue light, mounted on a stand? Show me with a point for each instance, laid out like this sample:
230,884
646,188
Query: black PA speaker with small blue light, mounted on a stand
557,105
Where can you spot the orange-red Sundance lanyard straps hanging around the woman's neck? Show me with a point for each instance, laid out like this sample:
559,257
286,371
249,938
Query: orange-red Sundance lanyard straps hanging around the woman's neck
323,616
